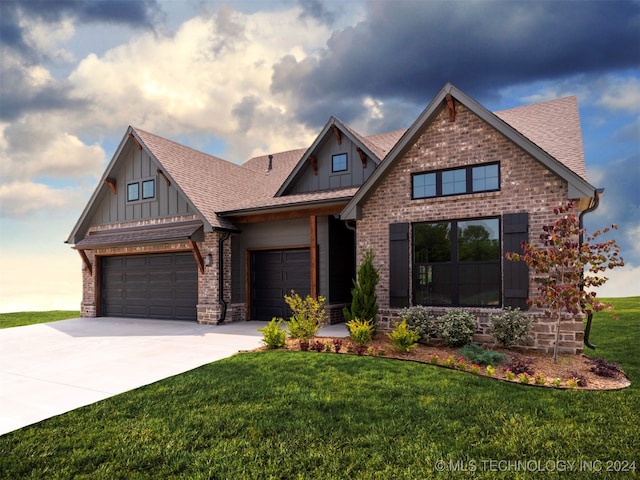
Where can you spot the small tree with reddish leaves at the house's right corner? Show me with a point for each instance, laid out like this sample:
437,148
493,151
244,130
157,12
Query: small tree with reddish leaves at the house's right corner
567,264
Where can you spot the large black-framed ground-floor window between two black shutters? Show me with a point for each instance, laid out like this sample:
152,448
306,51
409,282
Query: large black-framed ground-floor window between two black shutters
457,263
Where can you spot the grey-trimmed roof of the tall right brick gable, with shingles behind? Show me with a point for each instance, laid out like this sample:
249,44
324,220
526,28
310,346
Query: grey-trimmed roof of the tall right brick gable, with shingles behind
578,186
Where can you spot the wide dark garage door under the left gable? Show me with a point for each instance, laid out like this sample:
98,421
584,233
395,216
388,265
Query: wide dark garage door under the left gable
162,286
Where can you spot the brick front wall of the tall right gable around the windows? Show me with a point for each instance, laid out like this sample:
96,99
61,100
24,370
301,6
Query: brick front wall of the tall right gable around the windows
526,186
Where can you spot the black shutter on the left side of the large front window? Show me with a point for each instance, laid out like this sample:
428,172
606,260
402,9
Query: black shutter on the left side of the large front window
398,265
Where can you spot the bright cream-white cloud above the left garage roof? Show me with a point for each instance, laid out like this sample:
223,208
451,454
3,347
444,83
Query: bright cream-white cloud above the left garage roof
211,78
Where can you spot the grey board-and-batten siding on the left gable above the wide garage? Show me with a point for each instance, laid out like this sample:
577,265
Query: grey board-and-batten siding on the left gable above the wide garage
138,166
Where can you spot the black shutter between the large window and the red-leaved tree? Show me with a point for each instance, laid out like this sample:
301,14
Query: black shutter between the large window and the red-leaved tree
515,228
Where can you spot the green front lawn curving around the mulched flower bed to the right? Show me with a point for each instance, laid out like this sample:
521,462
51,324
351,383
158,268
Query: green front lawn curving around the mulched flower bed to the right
287,415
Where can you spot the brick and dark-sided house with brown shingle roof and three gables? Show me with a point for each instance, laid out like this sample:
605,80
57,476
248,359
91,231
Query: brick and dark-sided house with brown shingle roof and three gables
173,233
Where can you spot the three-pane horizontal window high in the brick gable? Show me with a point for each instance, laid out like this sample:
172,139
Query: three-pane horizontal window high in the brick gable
457,181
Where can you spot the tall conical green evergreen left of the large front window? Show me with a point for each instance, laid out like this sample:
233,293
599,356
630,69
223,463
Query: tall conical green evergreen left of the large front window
364,301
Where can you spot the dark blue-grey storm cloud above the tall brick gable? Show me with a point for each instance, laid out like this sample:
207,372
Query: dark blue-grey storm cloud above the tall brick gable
410,49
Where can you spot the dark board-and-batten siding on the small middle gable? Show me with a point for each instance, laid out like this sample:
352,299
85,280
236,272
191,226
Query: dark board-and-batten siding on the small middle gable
325,179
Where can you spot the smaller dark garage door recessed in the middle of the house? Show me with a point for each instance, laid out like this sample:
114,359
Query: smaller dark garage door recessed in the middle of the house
274,273
